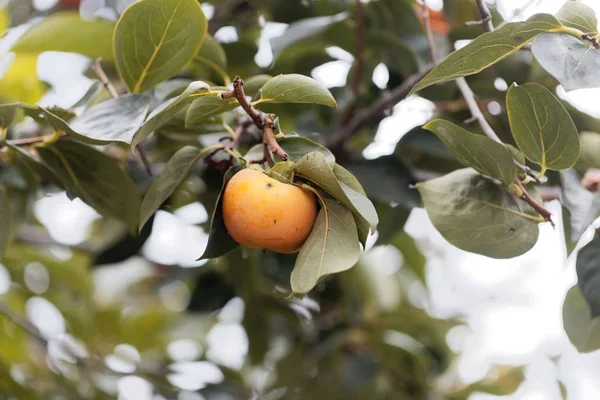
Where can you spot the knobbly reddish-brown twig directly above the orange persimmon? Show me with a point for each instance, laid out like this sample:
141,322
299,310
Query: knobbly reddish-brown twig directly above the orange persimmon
260,119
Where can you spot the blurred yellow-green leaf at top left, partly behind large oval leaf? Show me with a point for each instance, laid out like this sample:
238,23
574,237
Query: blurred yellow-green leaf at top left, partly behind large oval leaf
67,32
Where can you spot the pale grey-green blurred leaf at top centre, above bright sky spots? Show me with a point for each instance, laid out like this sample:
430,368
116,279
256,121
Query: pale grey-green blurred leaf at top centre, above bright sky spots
304,29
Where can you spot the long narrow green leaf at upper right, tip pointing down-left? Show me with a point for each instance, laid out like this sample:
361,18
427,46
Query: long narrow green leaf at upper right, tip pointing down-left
488,49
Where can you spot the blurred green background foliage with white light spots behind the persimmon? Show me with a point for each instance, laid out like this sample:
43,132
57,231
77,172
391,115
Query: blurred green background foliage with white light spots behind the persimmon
116,316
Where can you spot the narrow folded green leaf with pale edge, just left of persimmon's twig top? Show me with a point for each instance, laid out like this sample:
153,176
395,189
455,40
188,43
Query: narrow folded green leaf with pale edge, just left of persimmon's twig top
167,111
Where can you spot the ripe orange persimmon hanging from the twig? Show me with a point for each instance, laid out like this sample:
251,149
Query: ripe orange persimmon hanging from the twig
261,212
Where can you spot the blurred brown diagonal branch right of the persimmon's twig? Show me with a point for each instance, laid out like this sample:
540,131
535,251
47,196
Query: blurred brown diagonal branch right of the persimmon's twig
386,101
